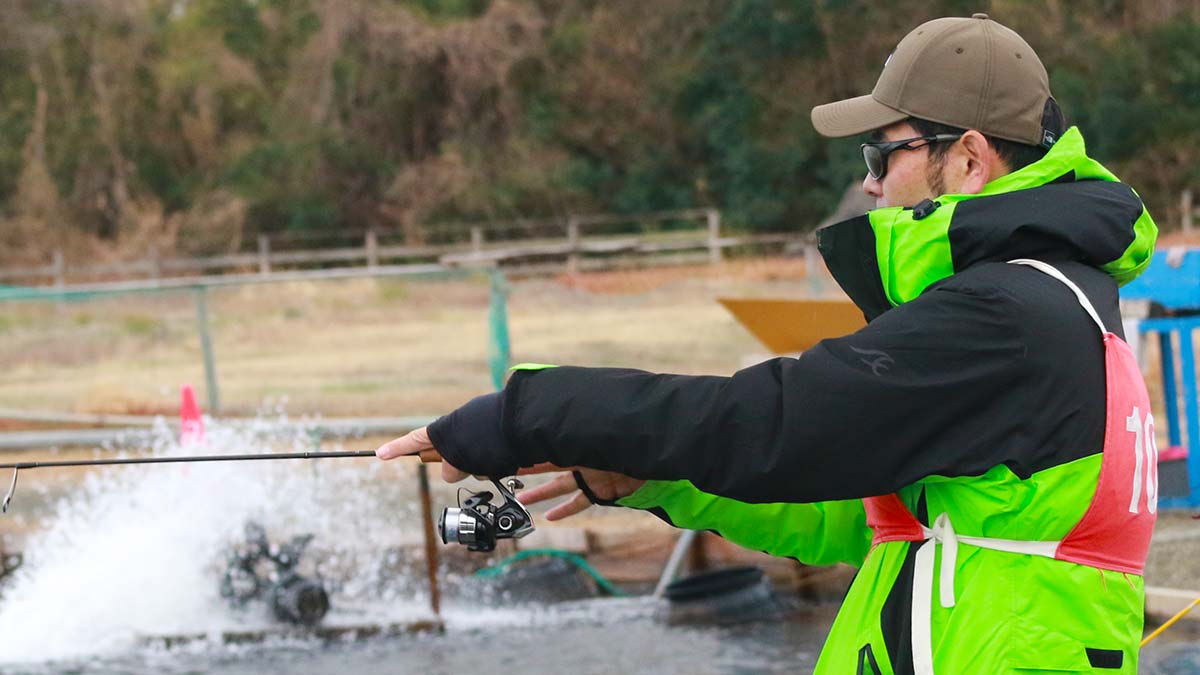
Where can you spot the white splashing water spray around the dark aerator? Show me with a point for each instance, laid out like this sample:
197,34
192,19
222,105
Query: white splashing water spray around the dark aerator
139,552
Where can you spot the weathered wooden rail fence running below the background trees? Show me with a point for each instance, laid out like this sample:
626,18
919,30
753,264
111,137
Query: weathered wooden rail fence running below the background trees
581,242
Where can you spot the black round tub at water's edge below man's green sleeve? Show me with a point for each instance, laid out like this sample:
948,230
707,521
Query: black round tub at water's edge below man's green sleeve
724,596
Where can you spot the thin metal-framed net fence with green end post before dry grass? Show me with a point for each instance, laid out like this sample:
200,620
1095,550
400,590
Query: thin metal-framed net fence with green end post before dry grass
55,342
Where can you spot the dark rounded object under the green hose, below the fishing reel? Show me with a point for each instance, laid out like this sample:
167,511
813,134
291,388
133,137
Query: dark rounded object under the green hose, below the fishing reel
542,581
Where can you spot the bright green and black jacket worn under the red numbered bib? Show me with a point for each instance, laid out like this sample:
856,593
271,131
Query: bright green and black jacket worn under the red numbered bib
977,389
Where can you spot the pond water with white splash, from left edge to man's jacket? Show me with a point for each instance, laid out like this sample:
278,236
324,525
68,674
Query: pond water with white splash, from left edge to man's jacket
139,552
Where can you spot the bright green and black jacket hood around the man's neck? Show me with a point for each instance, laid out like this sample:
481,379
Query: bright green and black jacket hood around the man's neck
1065,207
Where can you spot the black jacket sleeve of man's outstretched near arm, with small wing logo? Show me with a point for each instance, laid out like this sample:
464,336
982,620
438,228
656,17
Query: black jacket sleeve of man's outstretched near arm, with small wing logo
998,367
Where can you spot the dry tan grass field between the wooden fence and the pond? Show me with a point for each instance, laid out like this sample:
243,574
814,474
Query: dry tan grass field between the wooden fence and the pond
371,348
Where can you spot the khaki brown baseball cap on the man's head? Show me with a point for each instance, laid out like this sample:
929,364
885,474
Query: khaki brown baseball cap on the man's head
970,74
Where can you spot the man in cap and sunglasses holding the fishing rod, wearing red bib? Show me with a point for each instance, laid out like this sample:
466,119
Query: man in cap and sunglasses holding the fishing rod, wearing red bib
983,450
